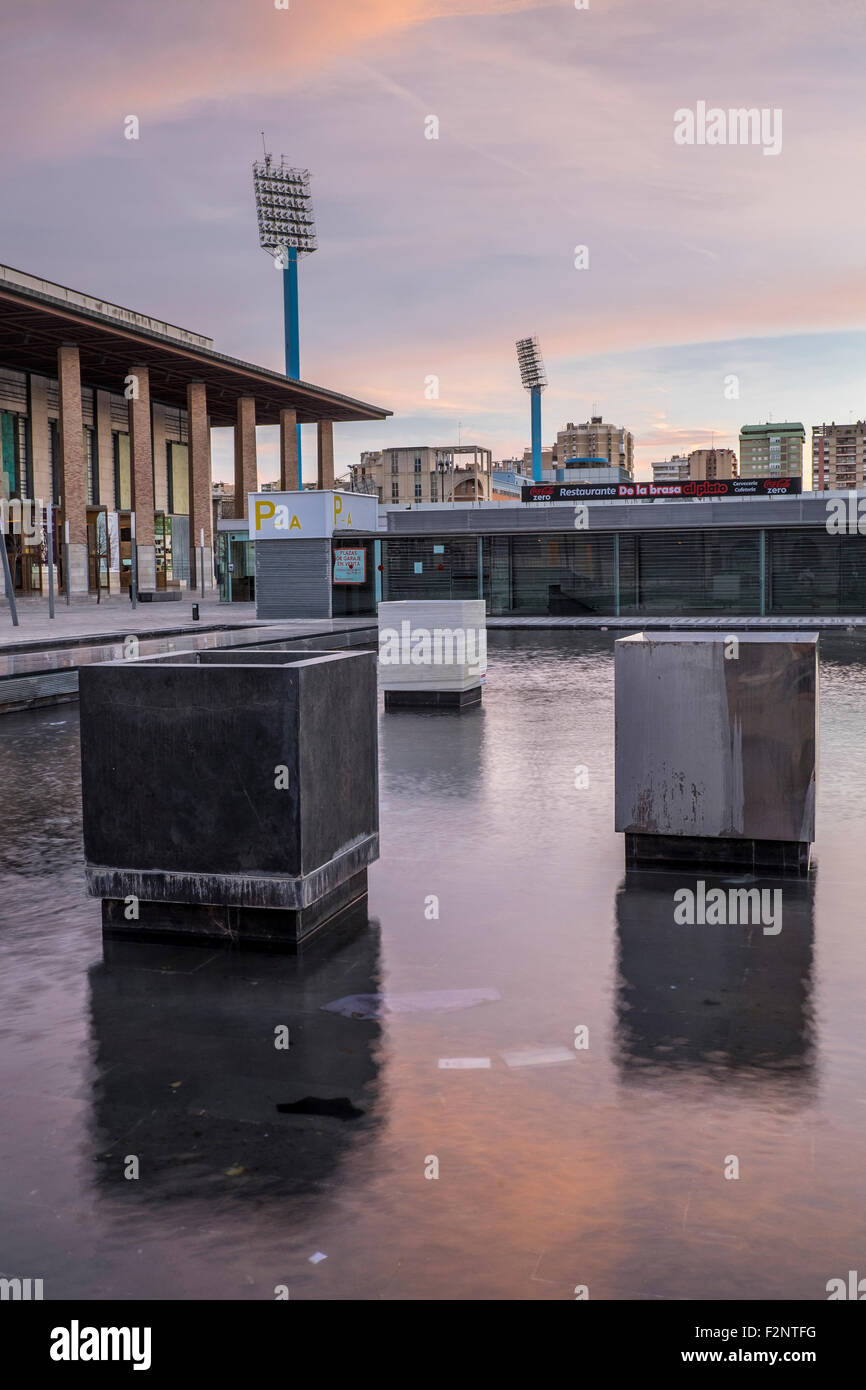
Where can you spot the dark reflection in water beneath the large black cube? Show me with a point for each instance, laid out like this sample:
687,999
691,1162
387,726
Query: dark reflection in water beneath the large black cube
191,1082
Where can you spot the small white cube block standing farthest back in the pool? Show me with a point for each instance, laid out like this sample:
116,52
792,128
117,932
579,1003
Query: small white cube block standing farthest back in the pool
433,654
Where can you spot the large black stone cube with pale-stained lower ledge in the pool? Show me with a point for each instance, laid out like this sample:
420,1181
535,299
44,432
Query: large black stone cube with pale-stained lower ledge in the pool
230,796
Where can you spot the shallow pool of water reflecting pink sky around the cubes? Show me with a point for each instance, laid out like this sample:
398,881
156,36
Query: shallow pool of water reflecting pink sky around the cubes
503,931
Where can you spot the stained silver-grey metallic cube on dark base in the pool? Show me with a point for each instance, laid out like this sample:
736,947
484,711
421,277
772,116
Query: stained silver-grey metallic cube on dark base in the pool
717,749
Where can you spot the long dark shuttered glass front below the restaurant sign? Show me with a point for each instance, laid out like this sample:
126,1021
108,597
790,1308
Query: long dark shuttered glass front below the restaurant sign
696,572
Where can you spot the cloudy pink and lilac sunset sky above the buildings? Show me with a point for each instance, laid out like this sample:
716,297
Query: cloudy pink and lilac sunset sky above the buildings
719,286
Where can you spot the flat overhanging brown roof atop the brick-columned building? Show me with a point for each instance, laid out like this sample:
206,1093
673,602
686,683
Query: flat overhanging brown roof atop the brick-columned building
35,325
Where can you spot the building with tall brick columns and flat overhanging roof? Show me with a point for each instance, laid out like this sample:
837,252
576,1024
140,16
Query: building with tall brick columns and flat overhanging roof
106,414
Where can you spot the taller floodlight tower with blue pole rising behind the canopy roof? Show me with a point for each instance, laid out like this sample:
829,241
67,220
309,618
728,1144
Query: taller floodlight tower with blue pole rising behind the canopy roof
287,231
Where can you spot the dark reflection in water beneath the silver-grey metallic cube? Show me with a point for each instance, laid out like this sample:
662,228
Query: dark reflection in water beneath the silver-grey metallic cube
726,1000
